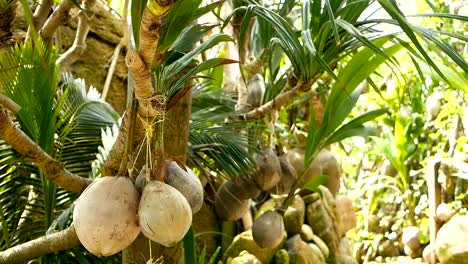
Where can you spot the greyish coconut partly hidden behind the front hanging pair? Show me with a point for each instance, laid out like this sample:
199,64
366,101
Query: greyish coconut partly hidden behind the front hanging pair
187,183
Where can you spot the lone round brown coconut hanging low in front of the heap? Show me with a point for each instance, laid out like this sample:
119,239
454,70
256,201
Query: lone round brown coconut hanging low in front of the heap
268,229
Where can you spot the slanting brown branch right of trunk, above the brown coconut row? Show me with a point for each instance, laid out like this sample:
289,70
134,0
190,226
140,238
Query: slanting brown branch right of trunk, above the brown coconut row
282,99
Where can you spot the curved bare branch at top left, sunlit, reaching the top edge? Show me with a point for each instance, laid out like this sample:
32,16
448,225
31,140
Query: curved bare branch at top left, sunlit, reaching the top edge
79,44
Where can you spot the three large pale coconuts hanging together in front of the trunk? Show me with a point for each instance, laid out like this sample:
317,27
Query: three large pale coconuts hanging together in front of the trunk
110,213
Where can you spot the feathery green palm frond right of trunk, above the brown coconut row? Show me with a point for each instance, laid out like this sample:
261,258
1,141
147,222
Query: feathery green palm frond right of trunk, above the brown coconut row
213,143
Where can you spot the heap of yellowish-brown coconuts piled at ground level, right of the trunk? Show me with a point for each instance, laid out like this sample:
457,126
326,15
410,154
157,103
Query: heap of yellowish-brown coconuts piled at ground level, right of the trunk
311,230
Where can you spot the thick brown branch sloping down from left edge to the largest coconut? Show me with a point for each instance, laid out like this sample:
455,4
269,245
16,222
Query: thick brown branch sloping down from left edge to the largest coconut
25,146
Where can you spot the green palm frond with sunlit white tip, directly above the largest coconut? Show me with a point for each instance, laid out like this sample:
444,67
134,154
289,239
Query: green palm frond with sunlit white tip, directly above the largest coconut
81,121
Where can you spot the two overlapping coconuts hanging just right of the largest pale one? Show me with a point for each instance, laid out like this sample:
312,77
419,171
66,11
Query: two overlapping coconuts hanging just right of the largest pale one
166,207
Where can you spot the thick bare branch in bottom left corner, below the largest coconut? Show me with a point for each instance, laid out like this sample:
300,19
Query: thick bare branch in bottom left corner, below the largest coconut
41,246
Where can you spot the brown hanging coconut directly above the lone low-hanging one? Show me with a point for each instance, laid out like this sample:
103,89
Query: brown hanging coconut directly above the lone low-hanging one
268,170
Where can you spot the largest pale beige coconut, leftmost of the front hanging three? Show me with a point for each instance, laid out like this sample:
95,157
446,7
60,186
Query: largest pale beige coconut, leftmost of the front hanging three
105,215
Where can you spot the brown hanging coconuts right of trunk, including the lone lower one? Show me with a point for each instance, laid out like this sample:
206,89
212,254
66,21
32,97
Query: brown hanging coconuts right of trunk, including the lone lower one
275,175
